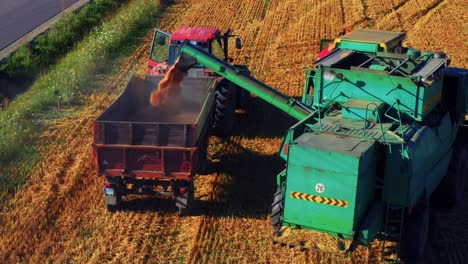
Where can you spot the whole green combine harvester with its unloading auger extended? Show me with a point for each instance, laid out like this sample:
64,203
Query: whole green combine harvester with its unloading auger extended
376,143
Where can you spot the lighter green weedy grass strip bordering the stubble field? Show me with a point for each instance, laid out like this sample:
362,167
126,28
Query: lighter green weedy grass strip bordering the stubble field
66,82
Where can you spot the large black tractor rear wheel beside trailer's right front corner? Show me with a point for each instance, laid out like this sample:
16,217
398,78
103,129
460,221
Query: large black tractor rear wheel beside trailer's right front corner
224,110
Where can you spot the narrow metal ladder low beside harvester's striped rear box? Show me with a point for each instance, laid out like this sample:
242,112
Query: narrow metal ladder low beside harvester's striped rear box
394,220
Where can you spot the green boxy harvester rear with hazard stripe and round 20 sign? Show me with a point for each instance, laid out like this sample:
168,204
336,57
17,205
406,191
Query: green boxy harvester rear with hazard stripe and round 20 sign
344,167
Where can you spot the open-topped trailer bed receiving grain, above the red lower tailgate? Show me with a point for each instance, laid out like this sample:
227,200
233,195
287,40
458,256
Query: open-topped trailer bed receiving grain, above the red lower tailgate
131,120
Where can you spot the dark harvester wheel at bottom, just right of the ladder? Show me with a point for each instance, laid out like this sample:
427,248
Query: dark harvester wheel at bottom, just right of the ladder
415,233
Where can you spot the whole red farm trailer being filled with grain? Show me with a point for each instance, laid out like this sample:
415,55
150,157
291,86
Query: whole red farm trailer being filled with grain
142,149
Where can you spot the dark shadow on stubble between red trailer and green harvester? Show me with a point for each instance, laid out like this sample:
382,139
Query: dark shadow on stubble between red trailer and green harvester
252,175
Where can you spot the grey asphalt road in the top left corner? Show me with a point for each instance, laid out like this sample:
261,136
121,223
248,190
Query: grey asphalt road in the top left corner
18,17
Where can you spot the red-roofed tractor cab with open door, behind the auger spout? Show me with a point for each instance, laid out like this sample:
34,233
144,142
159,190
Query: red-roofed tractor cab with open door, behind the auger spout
166,47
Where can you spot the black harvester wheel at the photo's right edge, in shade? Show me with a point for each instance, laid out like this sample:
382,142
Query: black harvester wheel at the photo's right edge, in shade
451,190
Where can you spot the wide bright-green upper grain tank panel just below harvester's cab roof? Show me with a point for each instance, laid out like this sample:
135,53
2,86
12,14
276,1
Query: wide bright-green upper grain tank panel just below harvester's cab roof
414,100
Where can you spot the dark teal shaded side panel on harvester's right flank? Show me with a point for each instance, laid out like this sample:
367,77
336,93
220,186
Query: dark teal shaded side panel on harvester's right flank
419,168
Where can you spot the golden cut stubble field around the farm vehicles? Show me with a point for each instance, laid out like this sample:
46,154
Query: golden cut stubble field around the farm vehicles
59,215
